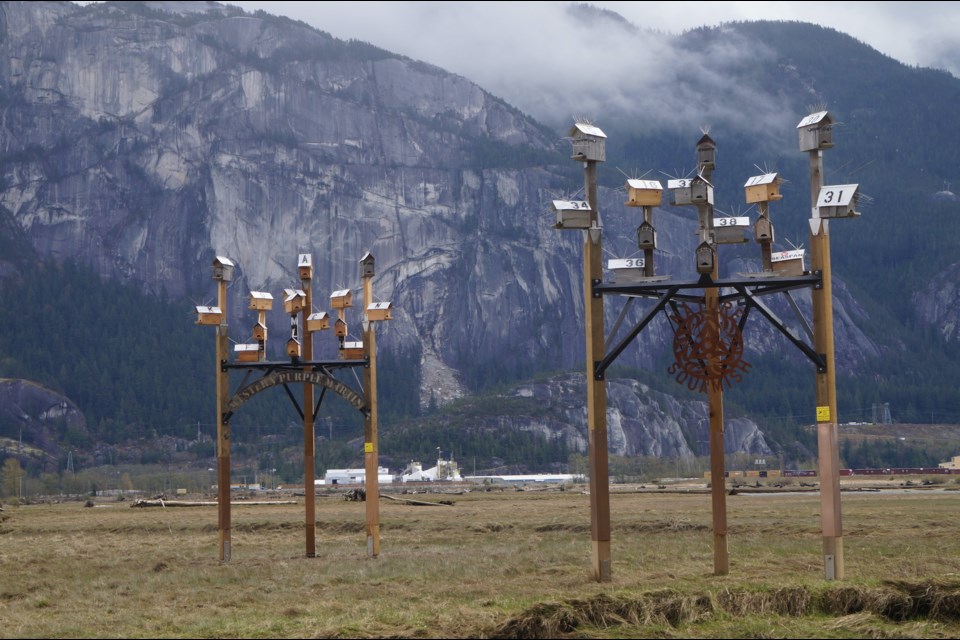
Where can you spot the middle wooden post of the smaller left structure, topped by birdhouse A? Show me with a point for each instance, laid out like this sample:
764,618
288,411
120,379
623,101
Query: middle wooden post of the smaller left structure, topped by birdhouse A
305,267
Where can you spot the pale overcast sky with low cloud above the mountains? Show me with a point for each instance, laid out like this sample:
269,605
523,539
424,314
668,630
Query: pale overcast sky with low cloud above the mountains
535,56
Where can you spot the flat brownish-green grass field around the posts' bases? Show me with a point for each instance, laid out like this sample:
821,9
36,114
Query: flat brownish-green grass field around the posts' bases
494,564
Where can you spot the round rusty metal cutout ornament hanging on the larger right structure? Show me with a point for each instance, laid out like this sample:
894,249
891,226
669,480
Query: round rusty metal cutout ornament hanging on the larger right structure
708,350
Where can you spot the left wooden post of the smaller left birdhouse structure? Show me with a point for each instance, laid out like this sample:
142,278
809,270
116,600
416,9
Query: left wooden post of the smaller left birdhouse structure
223,428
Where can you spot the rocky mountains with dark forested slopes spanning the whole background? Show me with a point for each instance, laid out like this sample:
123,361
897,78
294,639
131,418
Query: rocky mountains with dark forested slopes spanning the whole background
141,140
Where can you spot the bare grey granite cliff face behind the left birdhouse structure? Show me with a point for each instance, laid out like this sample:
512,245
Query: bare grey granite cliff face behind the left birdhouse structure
145,139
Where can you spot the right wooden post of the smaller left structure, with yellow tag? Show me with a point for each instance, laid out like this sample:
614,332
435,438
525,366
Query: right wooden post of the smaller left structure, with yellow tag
371,456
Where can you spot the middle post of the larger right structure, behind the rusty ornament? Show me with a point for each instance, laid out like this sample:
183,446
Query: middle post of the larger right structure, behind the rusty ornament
718,494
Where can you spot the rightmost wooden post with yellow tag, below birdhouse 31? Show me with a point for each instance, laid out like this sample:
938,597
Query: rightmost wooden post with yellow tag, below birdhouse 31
828,450
